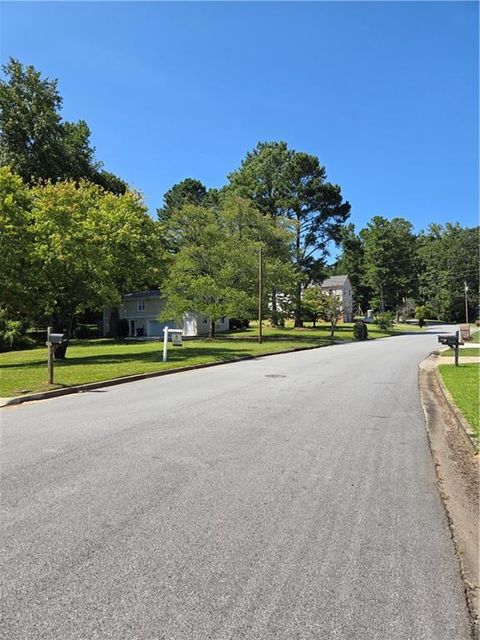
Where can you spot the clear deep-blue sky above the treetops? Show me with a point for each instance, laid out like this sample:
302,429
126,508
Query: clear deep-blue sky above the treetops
385,93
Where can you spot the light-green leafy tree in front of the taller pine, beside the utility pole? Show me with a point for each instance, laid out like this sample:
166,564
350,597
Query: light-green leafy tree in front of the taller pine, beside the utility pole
214,270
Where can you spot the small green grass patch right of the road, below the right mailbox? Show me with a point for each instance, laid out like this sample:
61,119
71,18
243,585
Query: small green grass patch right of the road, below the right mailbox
463,384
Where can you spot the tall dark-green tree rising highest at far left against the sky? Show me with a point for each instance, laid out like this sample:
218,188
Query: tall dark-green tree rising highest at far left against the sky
34,140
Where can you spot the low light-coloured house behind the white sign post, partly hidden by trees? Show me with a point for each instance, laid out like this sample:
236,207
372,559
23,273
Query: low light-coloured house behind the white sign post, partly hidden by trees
142,308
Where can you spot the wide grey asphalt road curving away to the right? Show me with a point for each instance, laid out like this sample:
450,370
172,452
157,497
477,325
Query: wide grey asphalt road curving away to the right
290,497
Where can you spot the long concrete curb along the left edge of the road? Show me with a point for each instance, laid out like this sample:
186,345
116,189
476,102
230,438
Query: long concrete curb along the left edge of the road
55,393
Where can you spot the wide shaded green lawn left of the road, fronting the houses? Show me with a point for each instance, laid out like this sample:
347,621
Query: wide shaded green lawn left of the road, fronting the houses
100,359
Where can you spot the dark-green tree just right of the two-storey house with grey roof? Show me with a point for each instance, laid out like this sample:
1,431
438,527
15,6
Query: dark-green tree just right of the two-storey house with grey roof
389,260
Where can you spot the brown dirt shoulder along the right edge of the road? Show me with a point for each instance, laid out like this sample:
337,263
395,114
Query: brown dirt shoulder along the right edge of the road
457,469
